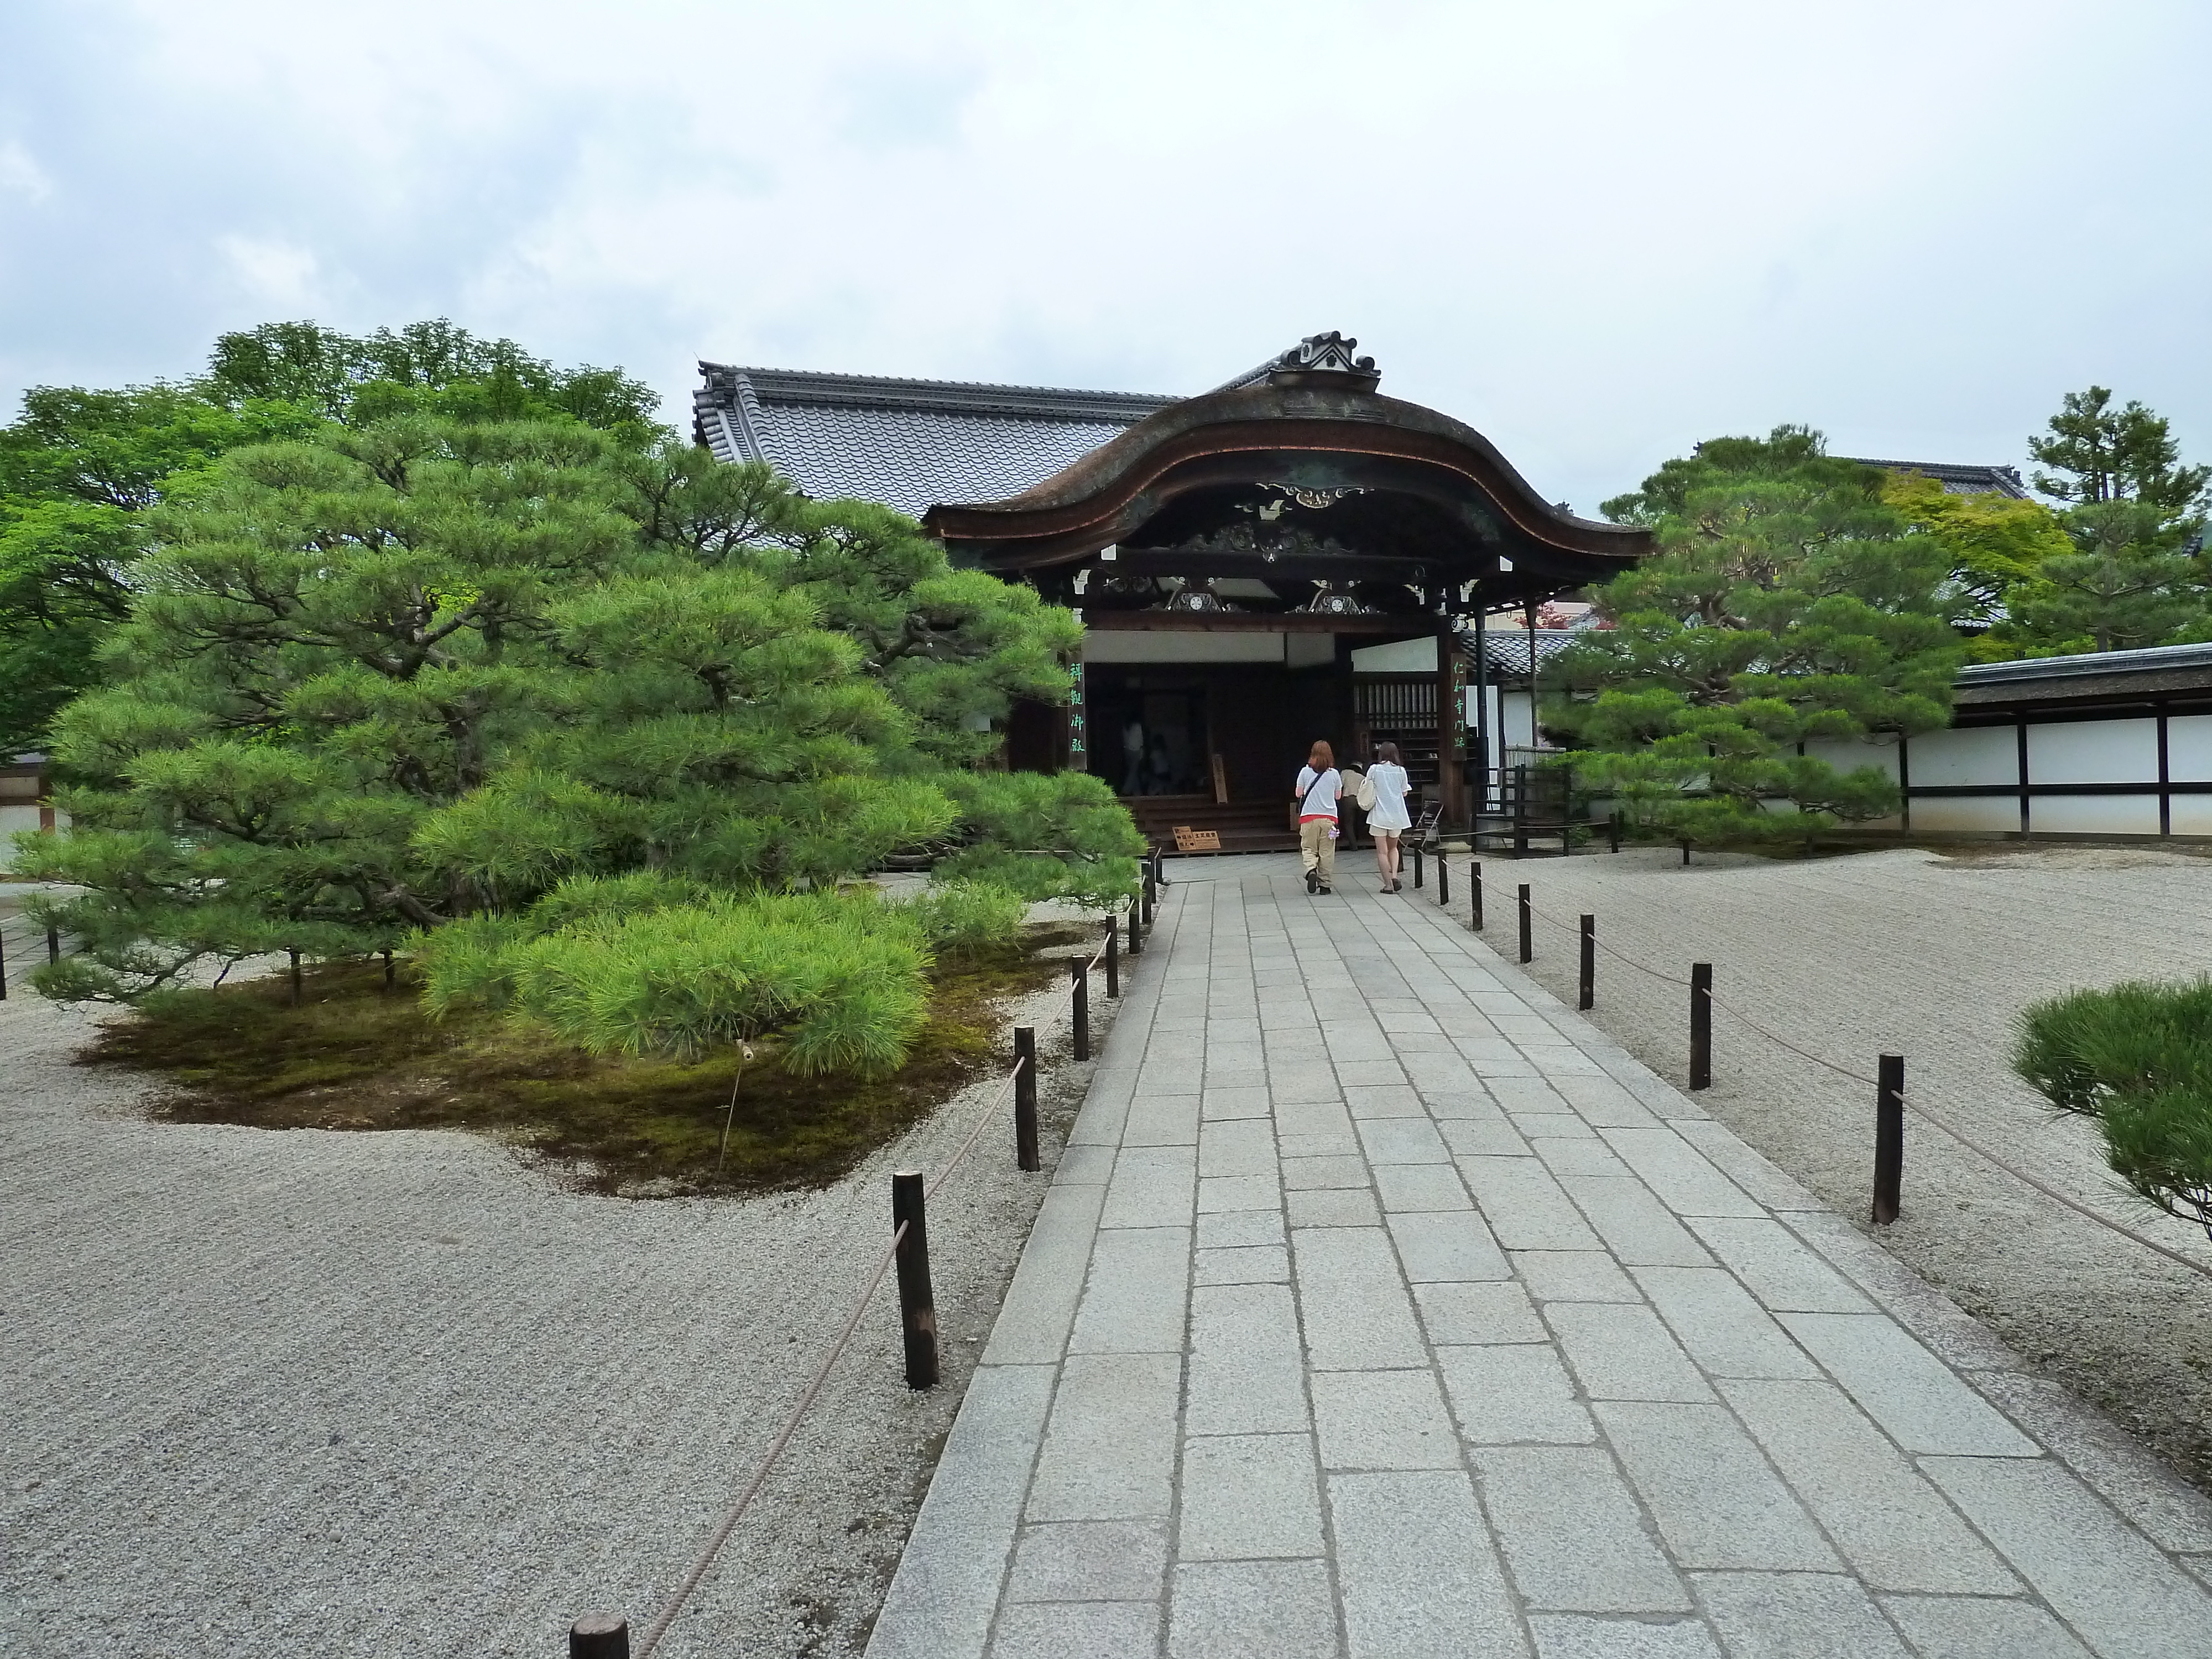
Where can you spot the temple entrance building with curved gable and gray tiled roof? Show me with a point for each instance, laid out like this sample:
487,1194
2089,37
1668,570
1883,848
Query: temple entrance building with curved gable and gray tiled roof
1284,559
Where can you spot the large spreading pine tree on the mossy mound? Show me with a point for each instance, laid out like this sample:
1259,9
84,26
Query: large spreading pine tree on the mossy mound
528,696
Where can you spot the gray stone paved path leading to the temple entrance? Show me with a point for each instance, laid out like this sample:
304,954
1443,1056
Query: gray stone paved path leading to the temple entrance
1384,1308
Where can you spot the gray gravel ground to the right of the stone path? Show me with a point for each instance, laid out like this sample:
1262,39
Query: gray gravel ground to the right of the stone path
1928,957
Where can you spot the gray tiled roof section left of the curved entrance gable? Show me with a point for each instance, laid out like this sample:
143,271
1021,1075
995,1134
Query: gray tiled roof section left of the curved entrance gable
906,444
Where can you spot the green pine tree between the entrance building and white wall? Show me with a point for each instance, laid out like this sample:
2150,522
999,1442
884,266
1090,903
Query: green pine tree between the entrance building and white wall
1788,607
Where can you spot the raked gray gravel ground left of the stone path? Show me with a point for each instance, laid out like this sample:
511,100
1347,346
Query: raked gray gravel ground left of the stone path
375,1395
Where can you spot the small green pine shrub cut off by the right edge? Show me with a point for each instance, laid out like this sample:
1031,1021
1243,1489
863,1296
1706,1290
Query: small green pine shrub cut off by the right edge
2138,1058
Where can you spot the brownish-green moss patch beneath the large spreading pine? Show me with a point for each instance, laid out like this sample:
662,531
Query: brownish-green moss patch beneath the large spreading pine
362,1058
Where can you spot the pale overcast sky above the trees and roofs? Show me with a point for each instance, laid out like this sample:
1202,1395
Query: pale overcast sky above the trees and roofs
1594,231
